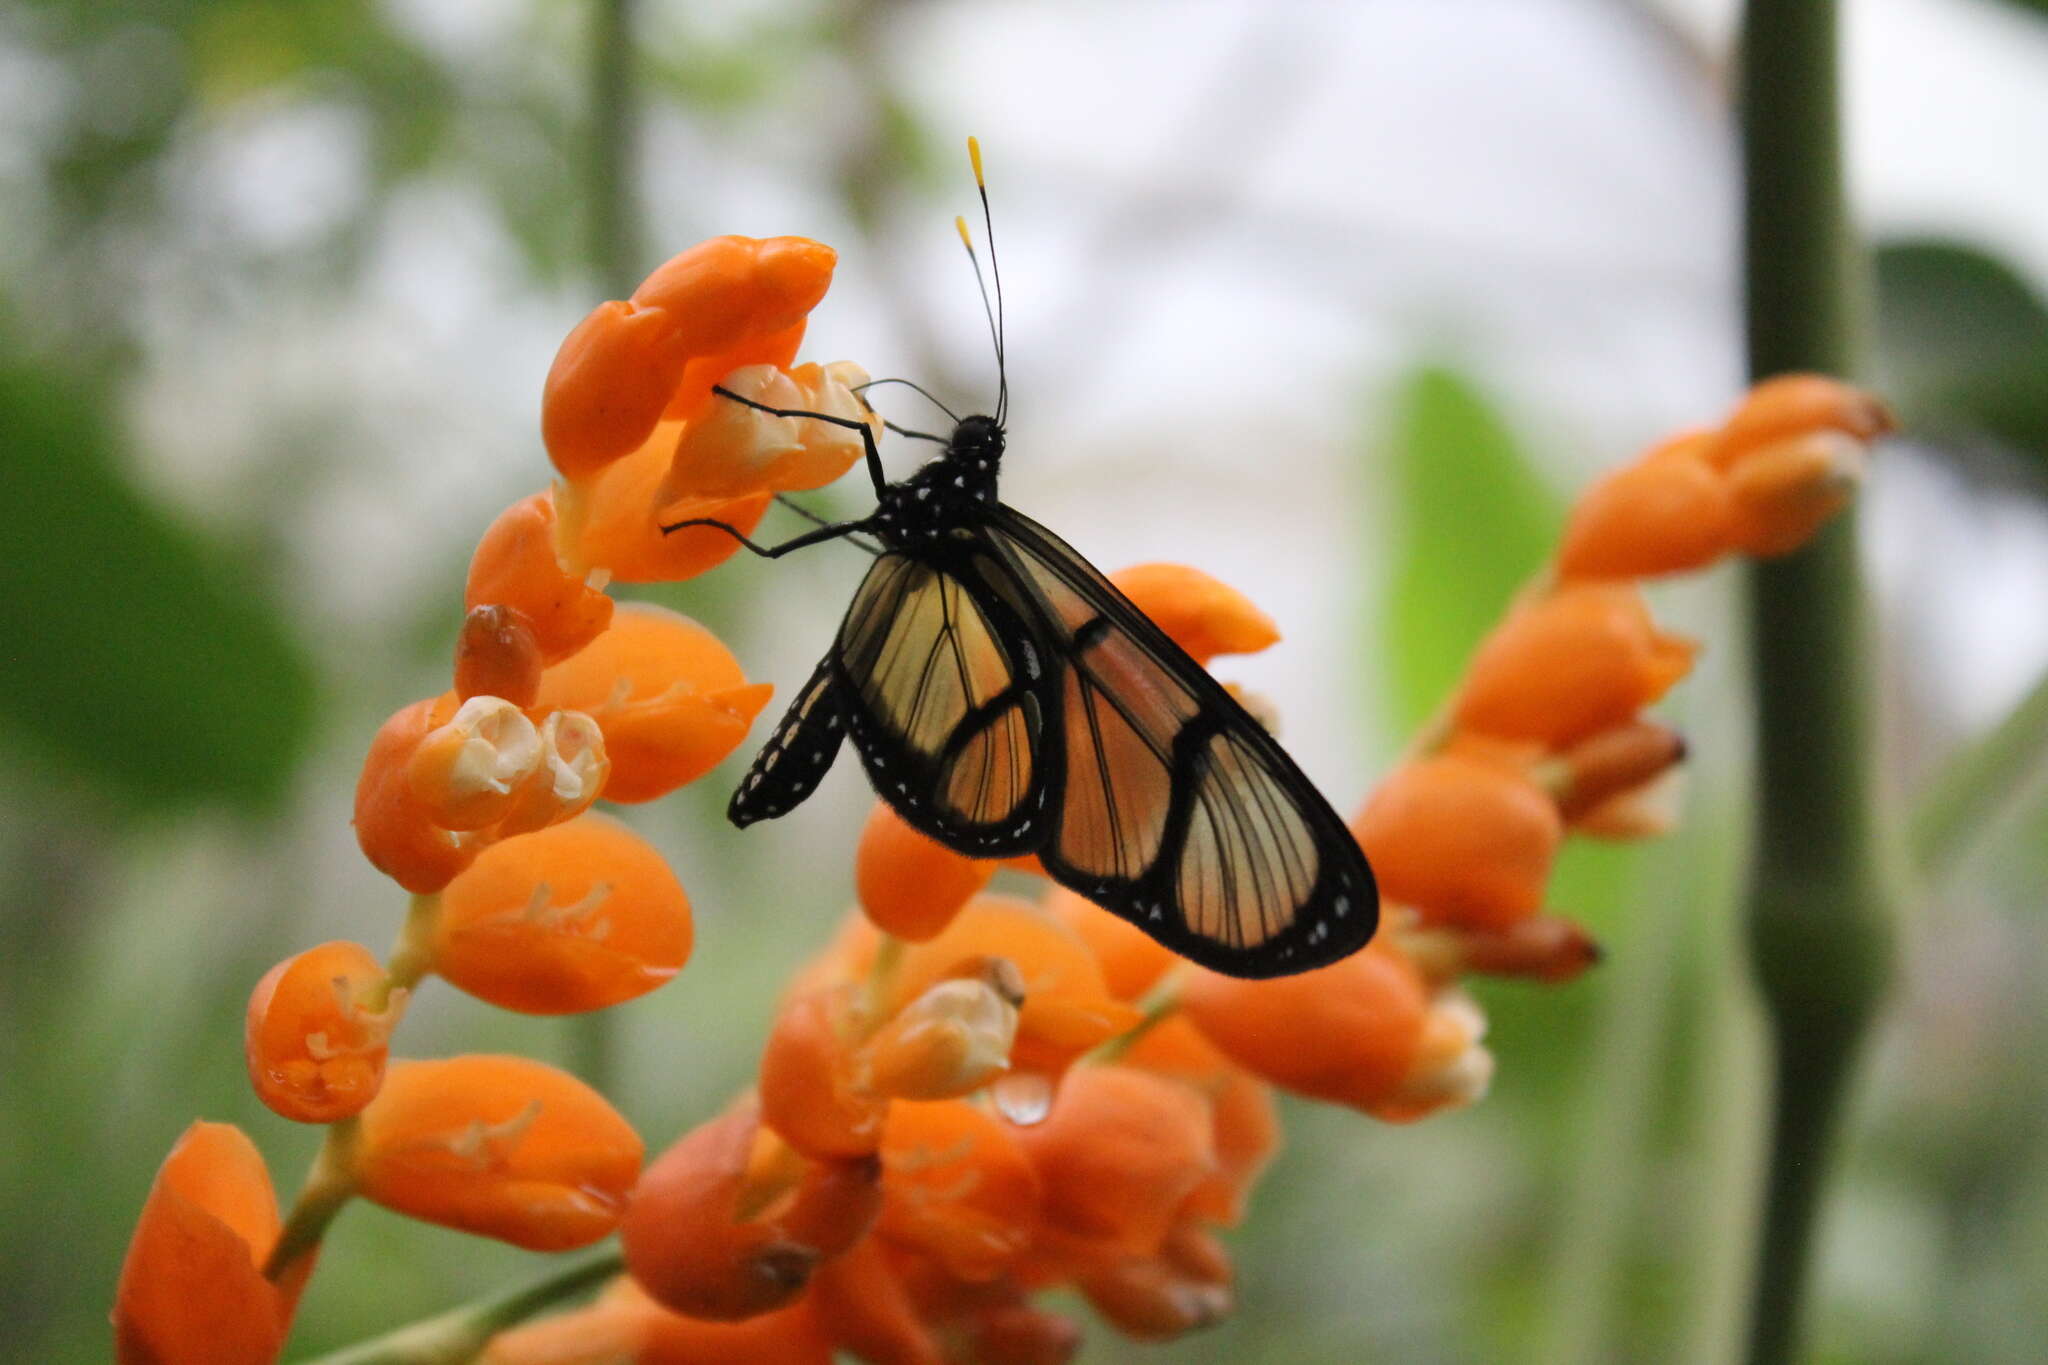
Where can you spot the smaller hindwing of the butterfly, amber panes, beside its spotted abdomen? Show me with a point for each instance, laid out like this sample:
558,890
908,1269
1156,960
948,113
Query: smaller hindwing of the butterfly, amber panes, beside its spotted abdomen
947,699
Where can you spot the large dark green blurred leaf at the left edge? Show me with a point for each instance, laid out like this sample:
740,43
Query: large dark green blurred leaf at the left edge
132,654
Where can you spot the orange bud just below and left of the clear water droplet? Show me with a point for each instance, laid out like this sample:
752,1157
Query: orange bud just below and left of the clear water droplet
957,1188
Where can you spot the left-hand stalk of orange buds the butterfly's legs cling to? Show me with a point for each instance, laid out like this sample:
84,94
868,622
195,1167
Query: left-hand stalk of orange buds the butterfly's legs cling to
480,803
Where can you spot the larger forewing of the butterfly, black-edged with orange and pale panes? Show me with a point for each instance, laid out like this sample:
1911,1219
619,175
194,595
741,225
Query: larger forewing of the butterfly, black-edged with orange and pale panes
1179,809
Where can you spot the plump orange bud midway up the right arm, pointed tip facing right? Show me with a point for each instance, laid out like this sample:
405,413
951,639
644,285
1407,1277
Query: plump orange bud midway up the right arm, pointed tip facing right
1568,666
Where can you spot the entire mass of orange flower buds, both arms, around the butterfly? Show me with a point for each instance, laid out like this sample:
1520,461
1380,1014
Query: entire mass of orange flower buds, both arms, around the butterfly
970,1098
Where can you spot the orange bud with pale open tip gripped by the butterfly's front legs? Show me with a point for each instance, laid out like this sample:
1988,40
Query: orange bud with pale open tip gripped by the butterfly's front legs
732,449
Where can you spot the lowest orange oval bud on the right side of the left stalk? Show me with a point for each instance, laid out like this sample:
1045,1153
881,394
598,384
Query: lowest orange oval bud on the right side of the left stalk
501,1147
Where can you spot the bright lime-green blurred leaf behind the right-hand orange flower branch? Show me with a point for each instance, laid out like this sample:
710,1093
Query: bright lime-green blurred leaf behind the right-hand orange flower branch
1469,525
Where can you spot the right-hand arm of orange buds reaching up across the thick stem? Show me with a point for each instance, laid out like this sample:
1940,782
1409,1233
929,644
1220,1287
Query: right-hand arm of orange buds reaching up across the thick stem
1547,732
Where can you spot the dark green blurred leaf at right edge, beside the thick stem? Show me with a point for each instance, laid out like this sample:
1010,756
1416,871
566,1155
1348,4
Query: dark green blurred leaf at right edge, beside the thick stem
1965,349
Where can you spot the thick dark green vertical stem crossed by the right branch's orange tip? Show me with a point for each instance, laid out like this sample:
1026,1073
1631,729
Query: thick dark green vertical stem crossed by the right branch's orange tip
1820,922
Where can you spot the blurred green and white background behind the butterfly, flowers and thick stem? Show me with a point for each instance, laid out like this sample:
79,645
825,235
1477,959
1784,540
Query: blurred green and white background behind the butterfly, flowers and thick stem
1338,304
